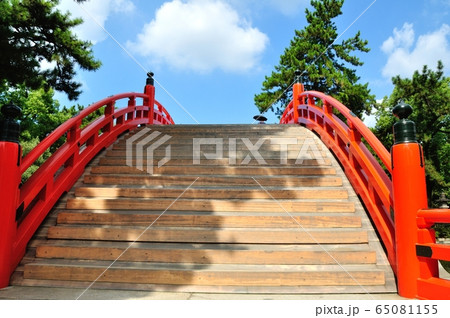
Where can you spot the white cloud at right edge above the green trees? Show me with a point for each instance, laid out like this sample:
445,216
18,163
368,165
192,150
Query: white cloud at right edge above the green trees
406,55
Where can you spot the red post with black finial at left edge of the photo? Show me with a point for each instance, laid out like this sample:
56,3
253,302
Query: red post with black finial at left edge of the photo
10,156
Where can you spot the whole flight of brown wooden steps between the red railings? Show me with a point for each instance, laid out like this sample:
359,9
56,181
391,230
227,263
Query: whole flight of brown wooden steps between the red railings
218,226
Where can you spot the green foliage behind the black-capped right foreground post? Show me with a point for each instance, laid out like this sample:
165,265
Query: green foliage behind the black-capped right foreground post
428,93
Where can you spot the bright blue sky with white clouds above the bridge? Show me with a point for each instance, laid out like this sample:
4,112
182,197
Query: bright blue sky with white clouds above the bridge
212,55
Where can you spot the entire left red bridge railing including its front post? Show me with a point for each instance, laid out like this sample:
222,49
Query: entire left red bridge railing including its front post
24,206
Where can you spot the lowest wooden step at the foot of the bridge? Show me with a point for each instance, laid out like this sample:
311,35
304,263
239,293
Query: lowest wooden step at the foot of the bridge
139,273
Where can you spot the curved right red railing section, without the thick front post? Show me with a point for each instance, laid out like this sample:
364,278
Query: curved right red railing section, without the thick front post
365,173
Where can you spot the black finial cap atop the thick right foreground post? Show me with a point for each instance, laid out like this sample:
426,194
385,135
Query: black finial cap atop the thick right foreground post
404,129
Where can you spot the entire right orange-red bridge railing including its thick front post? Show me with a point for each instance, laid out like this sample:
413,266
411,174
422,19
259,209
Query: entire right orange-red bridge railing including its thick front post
391,185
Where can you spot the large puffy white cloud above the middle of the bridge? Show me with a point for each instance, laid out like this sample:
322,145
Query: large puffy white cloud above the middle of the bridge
200,35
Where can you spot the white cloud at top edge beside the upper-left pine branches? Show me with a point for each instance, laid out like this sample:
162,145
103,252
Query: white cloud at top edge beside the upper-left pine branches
98,10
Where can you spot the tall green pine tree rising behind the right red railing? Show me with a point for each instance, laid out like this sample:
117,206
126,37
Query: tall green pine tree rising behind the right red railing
326,65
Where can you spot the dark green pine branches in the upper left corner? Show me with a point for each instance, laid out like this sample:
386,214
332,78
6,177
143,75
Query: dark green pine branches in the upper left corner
33,32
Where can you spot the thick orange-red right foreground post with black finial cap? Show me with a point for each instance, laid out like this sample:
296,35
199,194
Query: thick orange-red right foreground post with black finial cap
410,196
